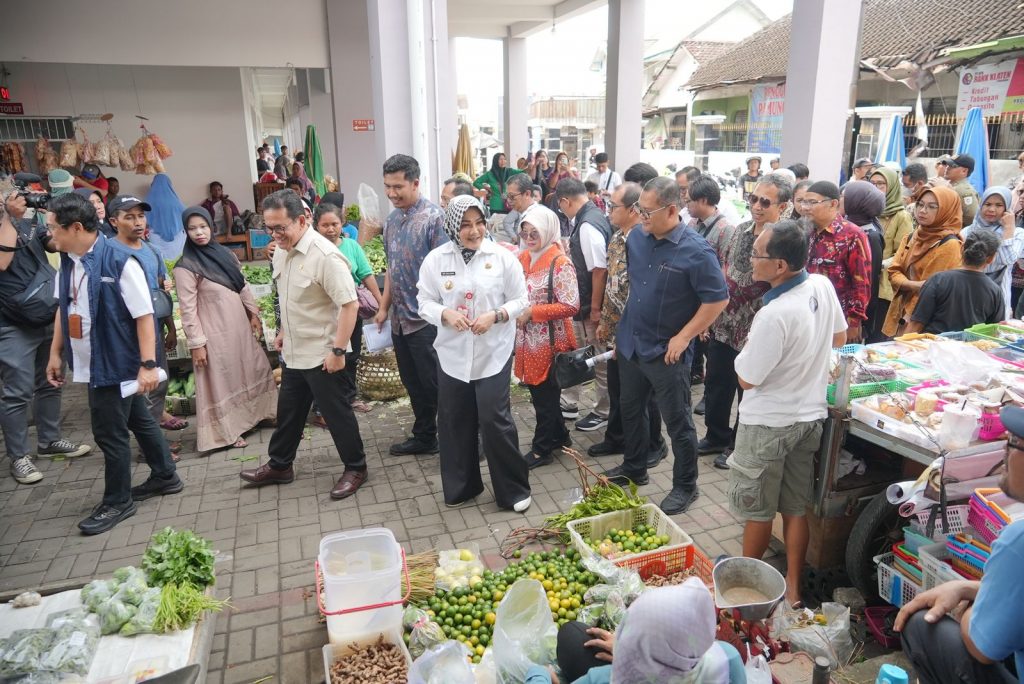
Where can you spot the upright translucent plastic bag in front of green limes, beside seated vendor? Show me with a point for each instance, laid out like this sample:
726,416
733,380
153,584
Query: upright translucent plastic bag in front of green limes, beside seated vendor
525,633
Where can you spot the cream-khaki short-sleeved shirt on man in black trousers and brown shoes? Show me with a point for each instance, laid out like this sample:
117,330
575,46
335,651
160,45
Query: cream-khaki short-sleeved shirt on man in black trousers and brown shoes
314,282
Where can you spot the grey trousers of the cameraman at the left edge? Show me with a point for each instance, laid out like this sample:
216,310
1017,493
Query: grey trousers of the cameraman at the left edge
24,355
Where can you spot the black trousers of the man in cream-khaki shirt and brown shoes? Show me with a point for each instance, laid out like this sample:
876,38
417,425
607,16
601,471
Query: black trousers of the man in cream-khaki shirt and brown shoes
298,390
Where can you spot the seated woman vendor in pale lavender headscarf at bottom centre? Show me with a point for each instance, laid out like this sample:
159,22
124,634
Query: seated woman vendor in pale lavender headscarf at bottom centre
668,635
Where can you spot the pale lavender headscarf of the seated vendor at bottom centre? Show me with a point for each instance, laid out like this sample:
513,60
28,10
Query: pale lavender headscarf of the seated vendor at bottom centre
668,636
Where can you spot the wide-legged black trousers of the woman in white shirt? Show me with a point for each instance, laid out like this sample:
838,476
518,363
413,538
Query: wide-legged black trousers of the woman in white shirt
472,411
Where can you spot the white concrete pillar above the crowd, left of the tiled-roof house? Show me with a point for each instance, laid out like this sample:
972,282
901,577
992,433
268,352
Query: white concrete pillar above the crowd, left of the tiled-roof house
623,129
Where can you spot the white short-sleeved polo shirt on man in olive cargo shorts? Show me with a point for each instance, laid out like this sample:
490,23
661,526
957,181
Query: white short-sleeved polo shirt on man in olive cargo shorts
788,353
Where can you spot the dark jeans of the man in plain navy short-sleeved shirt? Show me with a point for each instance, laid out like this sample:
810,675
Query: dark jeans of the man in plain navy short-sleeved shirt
671,389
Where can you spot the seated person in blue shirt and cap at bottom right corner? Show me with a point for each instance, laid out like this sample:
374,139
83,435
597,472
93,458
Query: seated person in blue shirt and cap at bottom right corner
968,631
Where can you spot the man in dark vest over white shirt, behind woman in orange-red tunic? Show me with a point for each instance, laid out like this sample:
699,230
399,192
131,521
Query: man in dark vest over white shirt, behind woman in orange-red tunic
588,249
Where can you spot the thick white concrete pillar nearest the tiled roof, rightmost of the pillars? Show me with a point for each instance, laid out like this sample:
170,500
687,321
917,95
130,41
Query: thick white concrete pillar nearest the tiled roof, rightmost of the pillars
819,84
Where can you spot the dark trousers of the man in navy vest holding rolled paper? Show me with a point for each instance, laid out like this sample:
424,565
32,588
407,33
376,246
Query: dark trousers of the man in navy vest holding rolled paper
113,418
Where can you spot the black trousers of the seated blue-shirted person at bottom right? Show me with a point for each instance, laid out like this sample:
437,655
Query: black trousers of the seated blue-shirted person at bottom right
940,656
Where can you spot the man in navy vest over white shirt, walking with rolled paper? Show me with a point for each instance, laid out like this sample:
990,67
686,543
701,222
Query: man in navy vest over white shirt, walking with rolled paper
118,359
